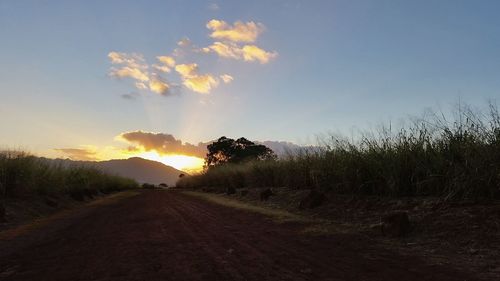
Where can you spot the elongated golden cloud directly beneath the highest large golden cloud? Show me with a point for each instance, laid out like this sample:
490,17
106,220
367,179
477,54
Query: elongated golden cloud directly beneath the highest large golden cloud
246,53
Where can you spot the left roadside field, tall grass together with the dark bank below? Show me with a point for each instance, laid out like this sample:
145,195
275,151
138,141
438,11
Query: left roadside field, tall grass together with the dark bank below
31,187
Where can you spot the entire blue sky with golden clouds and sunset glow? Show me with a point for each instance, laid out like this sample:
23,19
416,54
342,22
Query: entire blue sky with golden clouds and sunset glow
94,80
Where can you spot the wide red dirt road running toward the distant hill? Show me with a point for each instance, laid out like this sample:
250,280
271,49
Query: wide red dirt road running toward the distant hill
166,235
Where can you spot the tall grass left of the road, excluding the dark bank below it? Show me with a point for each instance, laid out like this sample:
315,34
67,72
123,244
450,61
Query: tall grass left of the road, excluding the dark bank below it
23,174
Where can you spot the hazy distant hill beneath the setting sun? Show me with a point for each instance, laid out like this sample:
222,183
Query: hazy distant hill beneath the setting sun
142,170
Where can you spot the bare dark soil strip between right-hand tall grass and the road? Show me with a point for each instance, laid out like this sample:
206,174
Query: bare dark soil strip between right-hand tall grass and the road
462,234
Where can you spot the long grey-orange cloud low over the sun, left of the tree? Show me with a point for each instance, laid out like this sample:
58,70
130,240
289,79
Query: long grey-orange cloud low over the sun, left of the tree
162,143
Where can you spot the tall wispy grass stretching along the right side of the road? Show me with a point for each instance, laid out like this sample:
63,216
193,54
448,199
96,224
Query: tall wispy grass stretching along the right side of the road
432,156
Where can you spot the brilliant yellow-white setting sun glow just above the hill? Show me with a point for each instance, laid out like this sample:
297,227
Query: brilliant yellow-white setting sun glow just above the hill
184,163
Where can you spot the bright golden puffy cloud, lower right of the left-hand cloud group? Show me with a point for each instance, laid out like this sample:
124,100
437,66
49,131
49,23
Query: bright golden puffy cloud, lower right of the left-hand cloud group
202,84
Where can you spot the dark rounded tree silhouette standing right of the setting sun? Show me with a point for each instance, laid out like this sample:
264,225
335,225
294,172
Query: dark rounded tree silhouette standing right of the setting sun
226,150
